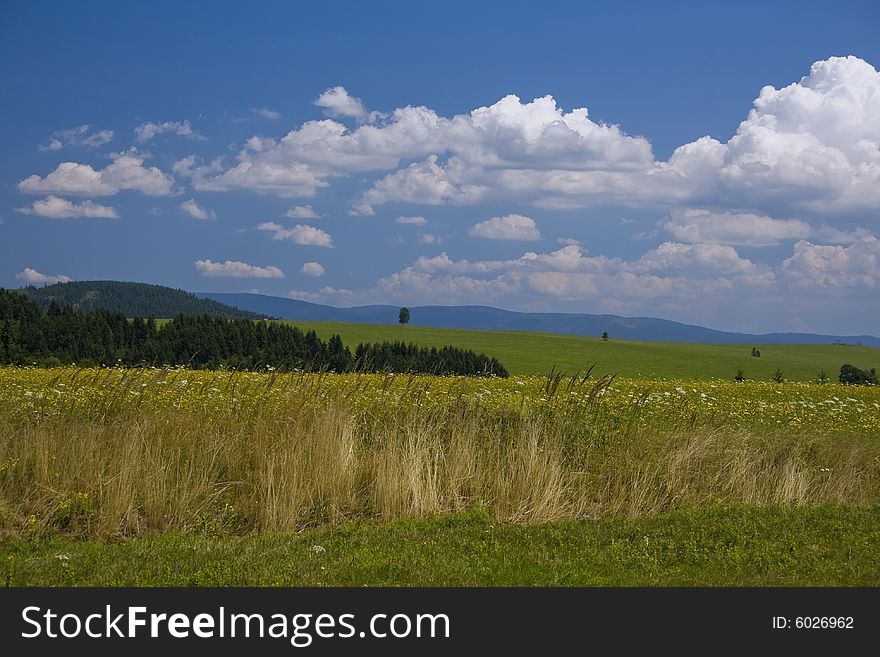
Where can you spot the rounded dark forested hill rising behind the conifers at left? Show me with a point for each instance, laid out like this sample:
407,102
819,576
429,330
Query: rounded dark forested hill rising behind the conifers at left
131,299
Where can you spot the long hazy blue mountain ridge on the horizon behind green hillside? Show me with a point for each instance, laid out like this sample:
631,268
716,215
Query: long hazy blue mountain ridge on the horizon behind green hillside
488,318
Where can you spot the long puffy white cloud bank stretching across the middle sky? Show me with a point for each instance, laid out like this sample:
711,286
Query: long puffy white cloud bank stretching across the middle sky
507,135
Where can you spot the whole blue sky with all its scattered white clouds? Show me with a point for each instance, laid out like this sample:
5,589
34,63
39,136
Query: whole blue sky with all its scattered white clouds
717,165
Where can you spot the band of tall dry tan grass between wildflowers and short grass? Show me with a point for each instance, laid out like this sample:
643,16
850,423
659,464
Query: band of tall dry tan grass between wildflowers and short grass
139,470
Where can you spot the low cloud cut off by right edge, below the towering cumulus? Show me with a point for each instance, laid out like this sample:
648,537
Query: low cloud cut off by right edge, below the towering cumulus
815,266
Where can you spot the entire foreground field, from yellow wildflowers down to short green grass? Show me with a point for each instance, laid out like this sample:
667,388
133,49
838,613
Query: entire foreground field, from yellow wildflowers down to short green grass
226,477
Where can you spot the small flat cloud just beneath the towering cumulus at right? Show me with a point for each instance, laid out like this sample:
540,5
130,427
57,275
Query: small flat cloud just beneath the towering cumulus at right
733,228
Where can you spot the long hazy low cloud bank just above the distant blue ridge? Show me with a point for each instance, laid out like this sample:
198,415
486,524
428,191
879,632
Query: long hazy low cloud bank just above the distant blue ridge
672,273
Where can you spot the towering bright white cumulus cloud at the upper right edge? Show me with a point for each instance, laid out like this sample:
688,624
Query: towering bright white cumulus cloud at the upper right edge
812,145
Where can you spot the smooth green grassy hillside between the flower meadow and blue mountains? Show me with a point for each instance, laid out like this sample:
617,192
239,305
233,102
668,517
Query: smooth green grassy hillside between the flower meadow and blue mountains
536,353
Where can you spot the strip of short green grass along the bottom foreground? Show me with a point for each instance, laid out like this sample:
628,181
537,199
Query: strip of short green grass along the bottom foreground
718,546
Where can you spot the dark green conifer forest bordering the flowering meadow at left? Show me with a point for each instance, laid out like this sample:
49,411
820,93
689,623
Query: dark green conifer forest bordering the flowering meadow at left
62,335
